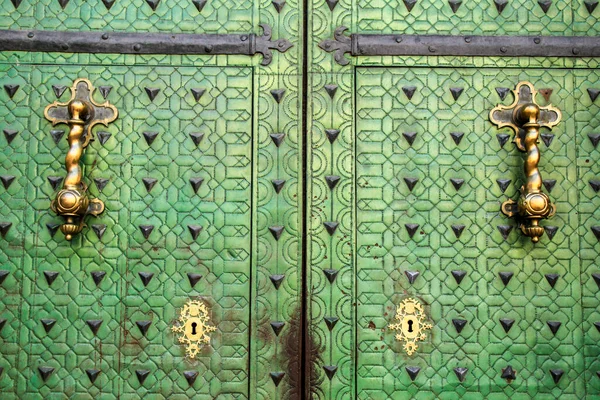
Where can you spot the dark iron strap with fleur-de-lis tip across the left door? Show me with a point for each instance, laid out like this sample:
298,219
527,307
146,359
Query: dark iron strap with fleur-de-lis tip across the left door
143,43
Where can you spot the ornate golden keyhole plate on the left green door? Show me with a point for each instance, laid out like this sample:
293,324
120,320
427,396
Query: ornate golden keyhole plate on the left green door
194,327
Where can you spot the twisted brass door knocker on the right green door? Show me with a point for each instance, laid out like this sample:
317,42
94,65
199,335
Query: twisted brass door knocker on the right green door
526,117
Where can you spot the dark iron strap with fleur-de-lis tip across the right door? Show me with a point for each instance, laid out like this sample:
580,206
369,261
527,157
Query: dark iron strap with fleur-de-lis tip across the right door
440,45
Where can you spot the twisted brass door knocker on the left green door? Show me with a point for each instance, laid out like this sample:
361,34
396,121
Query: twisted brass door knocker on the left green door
81,113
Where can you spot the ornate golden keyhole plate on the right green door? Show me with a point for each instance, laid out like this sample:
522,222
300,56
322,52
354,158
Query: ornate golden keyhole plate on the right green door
411,324
